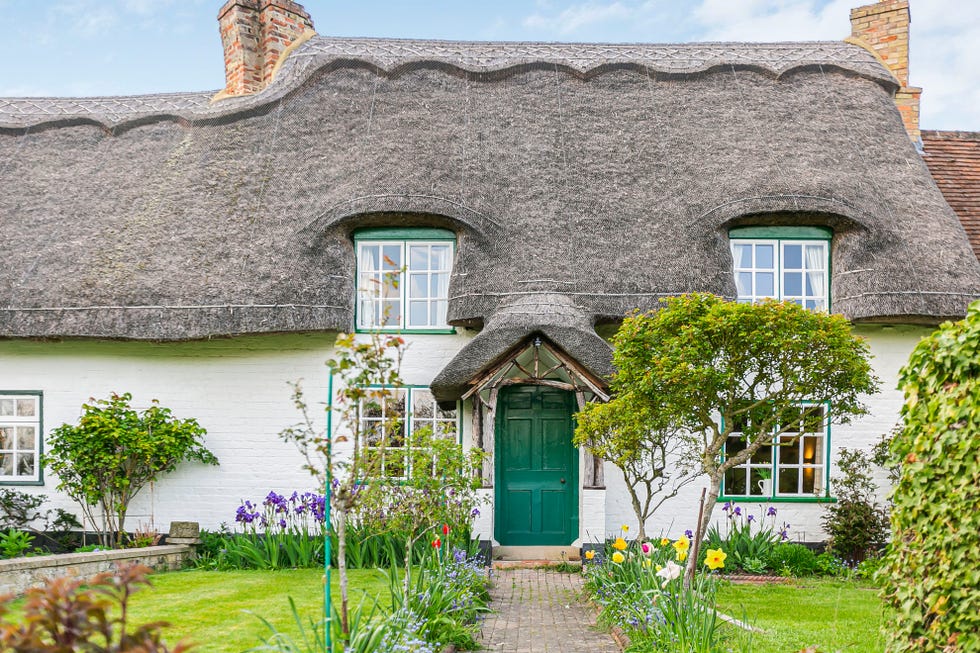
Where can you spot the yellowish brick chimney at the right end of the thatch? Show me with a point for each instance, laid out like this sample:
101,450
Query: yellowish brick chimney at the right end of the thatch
883,28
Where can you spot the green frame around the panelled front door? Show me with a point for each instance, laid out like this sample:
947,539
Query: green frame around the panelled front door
574,462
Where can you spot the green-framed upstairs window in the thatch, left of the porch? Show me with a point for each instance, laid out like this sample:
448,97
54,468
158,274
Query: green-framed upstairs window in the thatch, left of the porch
403,278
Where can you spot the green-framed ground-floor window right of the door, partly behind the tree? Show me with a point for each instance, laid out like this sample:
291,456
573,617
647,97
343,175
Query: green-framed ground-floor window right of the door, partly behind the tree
795,466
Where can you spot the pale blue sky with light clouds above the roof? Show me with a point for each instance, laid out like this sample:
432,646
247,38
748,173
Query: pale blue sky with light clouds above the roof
125,47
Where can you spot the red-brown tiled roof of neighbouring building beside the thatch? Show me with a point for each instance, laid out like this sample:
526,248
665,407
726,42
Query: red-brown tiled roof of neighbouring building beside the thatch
954,161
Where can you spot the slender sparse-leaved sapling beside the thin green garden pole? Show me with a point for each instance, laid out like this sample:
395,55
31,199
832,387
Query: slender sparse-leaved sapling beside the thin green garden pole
367,372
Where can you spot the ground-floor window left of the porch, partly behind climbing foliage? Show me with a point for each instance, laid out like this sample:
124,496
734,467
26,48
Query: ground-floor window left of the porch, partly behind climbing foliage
388,424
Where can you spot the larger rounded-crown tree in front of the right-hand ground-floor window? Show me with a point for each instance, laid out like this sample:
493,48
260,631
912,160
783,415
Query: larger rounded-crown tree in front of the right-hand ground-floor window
716,368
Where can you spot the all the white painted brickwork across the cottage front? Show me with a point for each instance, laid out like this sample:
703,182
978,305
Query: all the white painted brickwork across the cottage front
238,390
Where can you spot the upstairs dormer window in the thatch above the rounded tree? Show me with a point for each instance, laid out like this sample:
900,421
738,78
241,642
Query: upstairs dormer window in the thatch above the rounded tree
787,263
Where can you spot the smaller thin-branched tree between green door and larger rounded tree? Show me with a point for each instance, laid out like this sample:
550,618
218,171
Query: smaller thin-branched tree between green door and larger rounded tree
656,459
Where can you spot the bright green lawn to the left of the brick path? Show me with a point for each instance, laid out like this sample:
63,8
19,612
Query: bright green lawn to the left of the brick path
210,608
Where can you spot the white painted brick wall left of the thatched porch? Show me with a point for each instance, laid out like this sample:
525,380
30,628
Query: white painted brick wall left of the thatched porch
237,388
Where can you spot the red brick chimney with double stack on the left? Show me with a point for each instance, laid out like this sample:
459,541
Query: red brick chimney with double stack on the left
256,36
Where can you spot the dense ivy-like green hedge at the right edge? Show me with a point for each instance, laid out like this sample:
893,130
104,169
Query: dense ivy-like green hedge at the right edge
930,579
